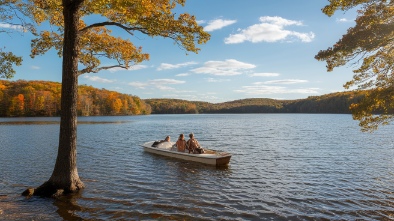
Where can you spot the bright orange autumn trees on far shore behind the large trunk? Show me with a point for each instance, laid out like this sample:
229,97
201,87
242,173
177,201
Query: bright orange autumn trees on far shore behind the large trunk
42,98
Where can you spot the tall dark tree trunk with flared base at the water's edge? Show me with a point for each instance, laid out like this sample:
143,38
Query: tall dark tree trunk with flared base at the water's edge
65,178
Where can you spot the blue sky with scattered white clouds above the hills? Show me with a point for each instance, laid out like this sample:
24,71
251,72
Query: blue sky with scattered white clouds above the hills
258,49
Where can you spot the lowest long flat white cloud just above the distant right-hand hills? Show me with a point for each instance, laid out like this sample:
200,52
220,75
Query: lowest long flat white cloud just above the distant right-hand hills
266,89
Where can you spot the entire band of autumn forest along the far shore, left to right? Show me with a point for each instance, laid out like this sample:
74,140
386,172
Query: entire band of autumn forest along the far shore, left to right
42,98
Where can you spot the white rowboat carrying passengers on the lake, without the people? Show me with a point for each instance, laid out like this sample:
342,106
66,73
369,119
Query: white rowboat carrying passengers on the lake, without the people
211,157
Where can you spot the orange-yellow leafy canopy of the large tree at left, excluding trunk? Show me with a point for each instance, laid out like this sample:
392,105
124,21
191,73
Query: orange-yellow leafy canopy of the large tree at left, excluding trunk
152,18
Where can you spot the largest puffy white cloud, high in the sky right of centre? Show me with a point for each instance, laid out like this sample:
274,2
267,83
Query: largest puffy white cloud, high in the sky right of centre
271,29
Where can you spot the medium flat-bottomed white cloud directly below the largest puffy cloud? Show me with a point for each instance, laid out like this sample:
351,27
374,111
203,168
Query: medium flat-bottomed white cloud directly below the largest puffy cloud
228,67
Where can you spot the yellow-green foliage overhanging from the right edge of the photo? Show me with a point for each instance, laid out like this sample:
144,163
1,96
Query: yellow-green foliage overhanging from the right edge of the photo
369,46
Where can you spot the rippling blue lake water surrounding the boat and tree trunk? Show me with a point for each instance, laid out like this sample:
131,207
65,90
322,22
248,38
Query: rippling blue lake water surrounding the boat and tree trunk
284,167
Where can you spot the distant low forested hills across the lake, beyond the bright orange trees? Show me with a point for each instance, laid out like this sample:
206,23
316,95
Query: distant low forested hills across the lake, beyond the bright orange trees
330,103
